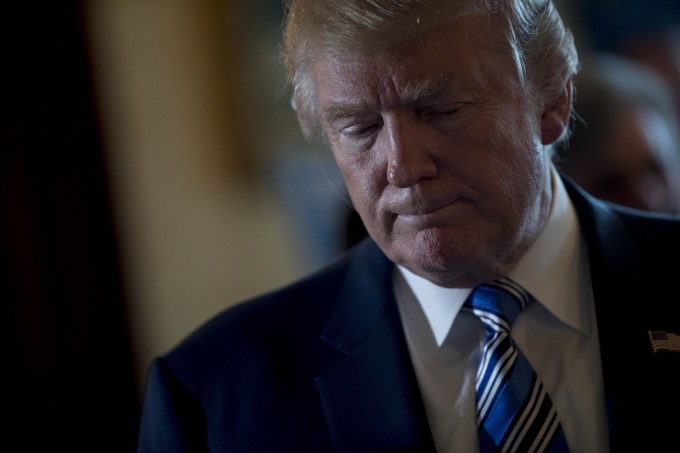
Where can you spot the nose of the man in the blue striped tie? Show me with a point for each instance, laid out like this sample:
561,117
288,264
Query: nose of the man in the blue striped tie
405,141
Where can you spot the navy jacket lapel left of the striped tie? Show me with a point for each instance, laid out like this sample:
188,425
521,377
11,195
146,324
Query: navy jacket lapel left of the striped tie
370,395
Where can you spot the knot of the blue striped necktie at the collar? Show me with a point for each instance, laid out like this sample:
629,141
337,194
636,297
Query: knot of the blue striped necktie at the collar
498,304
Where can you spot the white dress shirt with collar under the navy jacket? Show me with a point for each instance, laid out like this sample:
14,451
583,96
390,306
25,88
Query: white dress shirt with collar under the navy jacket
558,335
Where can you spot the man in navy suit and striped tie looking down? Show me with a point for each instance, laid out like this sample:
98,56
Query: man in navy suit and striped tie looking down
441,116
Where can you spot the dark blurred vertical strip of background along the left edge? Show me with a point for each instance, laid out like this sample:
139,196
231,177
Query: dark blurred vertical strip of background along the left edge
69,373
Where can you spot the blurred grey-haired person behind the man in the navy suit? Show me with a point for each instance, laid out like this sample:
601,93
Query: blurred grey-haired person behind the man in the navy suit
625,145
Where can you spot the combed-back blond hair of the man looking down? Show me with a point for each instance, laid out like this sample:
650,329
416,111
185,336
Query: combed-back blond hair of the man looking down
538,41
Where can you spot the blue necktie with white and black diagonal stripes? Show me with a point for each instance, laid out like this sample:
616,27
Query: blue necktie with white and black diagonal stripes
514,412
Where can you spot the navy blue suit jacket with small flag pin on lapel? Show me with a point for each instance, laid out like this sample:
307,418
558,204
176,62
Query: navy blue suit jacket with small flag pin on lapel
322,365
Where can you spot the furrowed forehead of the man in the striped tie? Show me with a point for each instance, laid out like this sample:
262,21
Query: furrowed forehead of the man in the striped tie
469,53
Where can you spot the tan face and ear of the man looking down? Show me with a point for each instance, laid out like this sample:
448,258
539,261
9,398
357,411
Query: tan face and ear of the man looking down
442,151
